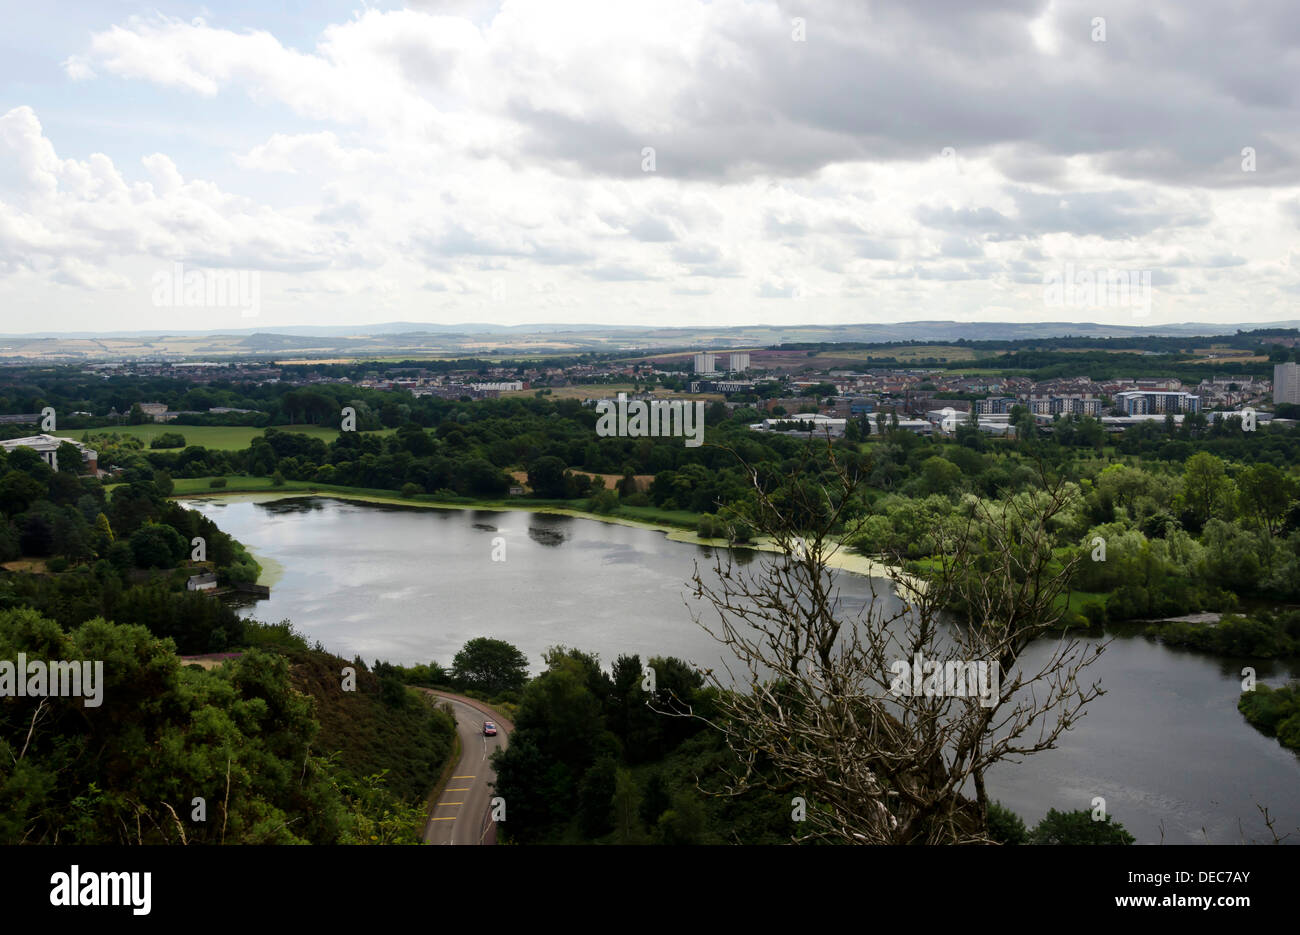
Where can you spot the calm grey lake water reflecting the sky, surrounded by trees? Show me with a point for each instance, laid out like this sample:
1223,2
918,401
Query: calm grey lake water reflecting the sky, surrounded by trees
1165,746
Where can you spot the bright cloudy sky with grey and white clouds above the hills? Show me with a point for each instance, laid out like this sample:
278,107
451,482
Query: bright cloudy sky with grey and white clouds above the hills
632,163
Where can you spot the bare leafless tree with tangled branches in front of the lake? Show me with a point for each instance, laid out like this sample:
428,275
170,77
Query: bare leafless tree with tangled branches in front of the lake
814,705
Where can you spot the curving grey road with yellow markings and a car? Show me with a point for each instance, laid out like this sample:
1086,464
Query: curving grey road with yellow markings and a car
463,813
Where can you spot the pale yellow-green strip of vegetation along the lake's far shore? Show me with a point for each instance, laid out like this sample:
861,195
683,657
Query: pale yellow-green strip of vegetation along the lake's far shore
840,559
